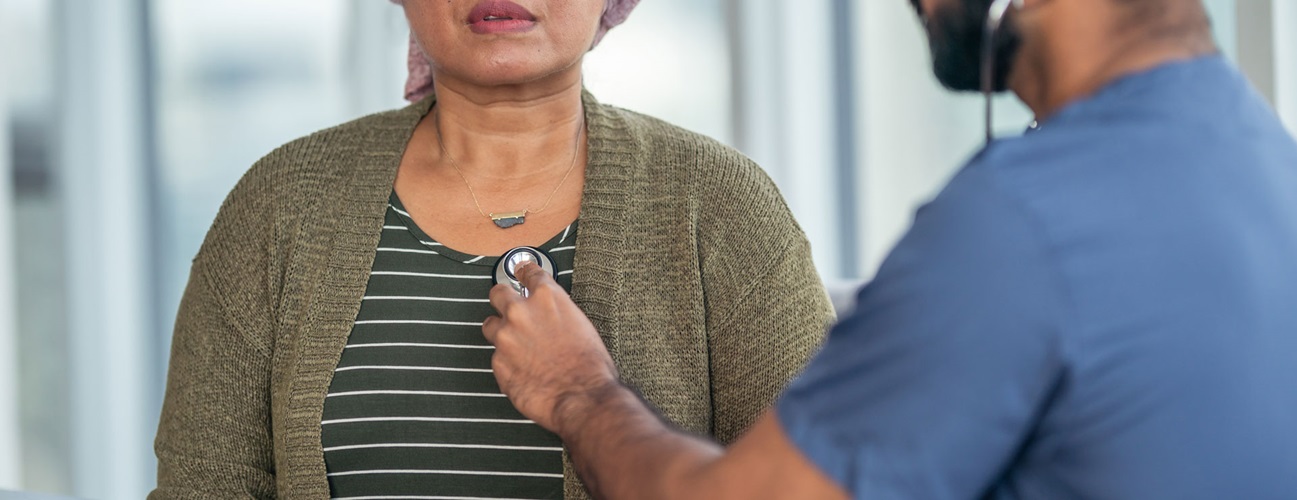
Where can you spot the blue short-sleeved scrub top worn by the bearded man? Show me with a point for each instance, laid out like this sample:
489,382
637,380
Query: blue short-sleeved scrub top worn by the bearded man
1103,309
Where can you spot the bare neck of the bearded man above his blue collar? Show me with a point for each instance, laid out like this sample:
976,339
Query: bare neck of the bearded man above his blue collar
1073,49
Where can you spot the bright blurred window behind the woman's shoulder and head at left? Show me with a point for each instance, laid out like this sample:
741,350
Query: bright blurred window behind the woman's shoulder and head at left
237,80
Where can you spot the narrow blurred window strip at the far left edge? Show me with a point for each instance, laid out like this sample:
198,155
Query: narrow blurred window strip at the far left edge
28,51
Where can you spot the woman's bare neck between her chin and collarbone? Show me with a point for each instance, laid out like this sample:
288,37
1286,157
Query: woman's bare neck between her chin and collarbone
508,133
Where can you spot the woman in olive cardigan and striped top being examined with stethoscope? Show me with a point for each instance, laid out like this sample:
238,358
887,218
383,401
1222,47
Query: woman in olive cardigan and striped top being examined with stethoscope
330,344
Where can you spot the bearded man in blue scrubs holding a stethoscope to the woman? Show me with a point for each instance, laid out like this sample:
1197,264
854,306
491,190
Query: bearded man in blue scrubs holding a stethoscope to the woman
1102,309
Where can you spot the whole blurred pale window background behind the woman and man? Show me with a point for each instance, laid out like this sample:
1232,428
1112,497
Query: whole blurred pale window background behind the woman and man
124,124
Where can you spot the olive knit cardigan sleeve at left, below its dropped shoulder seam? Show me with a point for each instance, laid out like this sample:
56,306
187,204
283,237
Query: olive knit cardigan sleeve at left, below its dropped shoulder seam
215,438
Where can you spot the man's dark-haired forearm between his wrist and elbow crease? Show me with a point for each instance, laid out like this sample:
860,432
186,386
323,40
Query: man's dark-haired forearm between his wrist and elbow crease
623,450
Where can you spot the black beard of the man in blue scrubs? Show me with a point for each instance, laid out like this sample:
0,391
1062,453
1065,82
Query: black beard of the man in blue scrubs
955,38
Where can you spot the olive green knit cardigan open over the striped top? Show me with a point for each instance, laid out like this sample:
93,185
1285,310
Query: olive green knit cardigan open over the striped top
688,262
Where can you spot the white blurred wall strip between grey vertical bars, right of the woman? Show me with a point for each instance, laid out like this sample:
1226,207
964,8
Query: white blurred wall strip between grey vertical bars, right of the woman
785,111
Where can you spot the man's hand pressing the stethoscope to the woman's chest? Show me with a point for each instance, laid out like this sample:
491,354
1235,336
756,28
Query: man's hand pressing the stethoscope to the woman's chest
549,359
